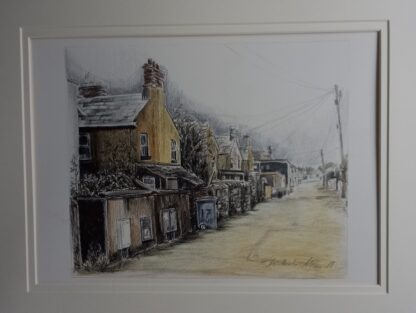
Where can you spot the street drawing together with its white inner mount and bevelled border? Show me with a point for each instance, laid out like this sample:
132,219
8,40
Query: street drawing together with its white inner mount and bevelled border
212,159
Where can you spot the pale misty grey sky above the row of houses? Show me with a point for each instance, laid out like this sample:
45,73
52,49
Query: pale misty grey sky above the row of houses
279,86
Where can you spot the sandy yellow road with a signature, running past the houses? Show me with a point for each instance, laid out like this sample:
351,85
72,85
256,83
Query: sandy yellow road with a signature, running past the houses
302,235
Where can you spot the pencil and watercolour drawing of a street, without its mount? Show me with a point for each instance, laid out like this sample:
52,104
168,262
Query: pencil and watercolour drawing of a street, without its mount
210,156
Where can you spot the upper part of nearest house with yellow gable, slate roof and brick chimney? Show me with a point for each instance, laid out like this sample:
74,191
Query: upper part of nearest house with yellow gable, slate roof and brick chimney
116,129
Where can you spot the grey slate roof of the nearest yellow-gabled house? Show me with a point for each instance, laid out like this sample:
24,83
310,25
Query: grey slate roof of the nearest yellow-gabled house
110,110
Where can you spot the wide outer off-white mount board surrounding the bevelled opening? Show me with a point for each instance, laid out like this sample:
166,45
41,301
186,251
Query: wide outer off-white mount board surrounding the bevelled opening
401,297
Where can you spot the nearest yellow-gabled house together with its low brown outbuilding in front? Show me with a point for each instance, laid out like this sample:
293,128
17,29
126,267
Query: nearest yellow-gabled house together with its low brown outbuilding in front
133,134
